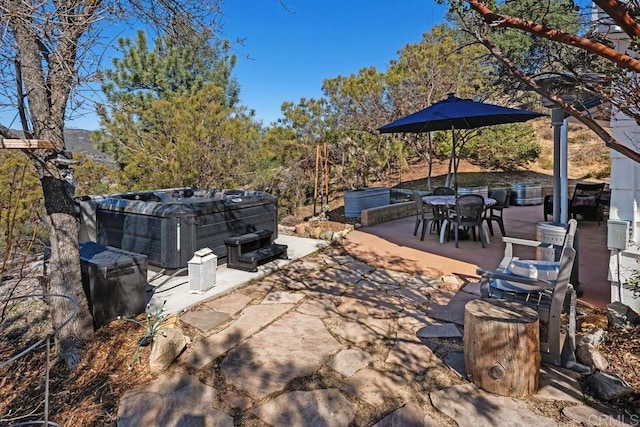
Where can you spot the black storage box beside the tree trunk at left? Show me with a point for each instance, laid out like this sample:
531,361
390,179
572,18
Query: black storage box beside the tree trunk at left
114,281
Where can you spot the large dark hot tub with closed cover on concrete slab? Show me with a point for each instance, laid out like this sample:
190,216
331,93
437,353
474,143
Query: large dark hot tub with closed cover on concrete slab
169,225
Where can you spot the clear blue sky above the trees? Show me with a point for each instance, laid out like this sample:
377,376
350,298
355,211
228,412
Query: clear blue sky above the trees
288,51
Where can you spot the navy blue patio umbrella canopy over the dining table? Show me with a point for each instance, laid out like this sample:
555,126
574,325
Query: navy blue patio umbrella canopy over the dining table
458,113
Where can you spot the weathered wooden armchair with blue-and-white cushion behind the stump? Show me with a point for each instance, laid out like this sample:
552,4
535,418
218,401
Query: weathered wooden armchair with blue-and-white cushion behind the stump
543,286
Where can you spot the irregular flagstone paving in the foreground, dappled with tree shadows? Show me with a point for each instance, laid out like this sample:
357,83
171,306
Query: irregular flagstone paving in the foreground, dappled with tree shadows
330,341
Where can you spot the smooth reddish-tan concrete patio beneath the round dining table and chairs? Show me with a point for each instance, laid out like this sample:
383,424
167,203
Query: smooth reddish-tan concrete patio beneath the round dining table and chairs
392,245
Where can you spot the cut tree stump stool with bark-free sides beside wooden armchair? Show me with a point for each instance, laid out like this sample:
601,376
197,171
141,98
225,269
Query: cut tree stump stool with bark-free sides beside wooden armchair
502,347
